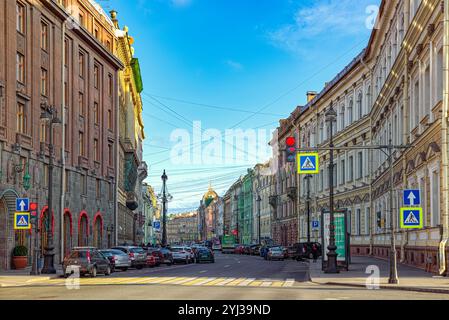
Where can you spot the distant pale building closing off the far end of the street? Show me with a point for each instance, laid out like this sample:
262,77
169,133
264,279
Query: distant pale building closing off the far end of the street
182,228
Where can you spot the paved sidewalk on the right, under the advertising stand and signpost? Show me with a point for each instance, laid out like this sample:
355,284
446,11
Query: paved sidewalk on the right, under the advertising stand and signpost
410,278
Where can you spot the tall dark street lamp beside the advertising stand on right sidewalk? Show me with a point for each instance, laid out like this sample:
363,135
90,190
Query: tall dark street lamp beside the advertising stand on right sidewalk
331,267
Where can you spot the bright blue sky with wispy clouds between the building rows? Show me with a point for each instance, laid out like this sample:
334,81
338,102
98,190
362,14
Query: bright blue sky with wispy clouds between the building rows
201,57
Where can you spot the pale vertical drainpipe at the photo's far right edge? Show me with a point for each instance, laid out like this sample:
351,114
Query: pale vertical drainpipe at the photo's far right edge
445,145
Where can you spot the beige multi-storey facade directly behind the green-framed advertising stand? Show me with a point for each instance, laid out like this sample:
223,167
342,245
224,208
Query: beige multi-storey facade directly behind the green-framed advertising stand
349,94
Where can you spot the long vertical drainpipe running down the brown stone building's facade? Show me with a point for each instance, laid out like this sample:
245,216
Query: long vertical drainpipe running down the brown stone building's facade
63,177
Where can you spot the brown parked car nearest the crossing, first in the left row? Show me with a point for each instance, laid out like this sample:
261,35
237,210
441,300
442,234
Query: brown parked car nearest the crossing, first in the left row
89,261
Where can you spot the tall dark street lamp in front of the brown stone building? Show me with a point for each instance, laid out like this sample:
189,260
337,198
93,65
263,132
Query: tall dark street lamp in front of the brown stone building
49,117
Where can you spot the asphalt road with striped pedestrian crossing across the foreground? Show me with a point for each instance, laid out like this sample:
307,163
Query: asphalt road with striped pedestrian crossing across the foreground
231,277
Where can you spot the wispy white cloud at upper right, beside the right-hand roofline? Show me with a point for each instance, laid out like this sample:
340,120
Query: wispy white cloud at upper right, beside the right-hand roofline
333,18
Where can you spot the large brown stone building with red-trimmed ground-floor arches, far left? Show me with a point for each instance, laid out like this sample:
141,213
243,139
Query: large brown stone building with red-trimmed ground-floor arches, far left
58,54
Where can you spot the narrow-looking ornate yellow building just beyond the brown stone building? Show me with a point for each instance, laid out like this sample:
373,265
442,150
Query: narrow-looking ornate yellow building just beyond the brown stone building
132,170
